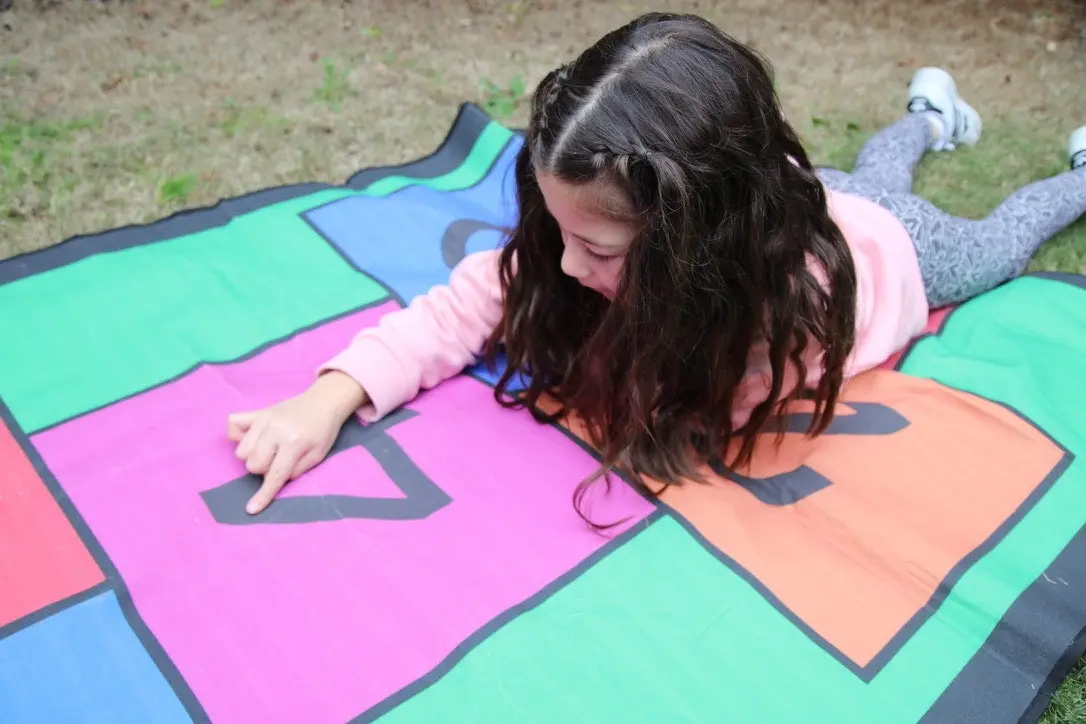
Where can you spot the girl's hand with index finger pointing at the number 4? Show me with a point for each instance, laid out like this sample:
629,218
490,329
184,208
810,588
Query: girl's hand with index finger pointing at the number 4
285,440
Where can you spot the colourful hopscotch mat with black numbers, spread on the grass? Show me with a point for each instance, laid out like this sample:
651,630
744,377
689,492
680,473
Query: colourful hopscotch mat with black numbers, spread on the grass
925,562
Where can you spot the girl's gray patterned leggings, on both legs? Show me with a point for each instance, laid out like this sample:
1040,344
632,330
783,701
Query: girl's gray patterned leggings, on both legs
959,258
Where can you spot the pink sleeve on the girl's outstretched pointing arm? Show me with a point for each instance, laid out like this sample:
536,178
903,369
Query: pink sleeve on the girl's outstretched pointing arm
430,341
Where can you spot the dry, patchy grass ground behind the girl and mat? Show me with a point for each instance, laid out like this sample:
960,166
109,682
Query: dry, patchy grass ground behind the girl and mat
122,112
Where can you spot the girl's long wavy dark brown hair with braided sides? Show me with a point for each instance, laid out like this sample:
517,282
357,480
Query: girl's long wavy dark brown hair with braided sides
686,122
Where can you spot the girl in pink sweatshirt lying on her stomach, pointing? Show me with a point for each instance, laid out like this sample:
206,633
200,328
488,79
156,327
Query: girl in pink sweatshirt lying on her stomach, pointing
679,272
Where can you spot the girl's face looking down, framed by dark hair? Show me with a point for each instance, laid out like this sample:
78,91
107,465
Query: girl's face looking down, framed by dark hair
596,243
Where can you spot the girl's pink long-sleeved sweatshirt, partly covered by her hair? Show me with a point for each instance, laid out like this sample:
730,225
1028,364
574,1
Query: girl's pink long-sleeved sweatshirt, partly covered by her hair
443,333
